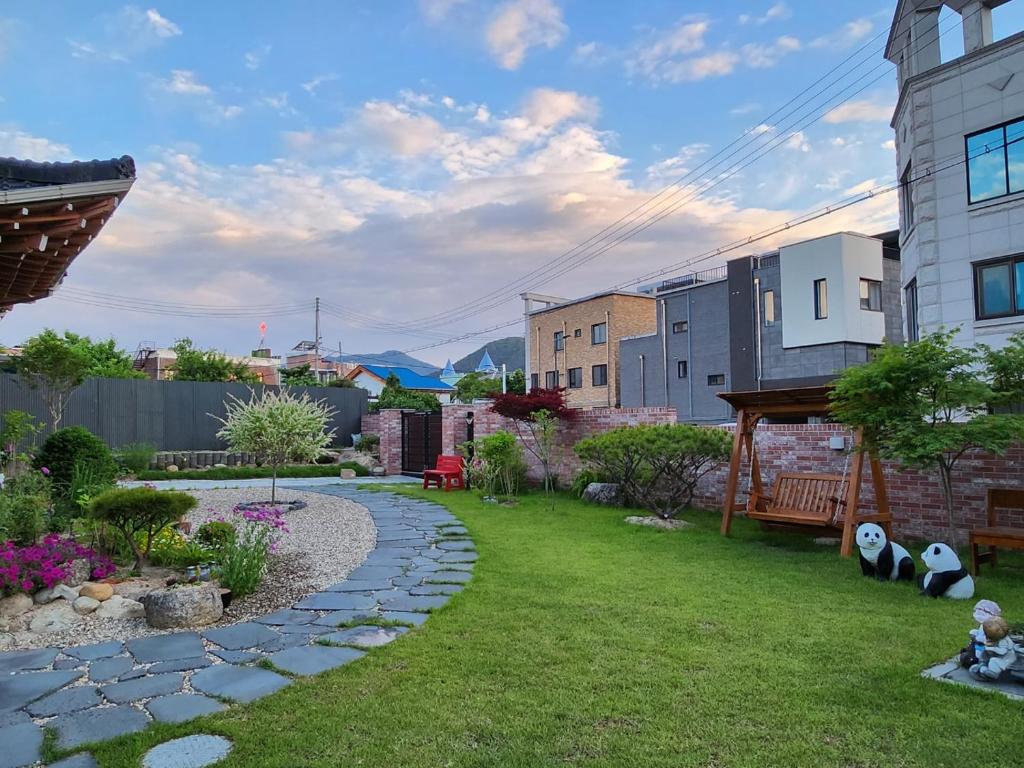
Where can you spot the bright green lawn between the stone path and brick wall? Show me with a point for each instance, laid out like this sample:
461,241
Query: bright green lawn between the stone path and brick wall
586,642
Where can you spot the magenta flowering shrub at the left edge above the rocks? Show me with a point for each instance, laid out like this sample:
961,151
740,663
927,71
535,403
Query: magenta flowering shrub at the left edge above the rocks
46,565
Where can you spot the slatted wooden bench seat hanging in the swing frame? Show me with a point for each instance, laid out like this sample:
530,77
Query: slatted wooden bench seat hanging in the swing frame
800,499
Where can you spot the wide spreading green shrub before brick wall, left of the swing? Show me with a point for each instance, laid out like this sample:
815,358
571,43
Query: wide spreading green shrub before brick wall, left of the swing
657,467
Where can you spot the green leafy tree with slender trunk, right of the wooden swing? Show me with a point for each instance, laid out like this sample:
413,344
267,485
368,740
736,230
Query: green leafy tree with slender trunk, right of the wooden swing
926,405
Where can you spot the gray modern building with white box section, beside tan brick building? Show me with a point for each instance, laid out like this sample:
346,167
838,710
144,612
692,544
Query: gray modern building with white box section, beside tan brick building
796,317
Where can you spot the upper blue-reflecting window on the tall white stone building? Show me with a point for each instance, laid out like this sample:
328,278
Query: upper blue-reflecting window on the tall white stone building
996,162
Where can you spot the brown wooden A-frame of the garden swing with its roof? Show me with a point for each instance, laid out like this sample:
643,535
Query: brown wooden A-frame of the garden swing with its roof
797,403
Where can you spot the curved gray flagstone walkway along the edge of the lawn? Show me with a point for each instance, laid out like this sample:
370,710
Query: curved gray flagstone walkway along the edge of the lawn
97,693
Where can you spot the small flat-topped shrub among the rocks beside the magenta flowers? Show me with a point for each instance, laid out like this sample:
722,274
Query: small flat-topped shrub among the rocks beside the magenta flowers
133,511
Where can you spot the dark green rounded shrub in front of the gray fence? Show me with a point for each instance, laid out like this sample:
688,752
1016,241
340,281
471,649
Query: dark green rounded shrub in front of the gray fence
67,450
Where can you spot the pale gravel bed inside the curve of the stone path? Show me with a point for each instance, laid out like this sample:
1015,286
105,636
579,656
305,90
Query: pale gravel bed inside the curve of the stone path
327,540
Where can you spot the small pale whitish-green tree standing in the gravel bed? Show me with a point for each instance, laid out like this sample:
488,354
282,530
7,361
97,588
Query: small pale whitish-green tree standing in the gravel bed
278,428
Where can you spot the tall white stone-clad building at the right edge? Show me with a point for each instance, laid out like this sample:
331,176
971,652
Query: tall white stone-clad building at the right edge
961,160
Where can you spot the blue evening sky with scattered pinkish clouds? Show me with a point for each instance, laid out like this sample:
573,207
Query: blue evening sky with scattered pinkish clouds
417,165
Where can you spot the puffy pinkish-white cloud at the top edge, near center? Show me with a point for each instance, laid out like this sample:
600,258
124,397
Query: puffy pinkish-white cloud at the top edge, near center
522,25
